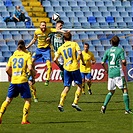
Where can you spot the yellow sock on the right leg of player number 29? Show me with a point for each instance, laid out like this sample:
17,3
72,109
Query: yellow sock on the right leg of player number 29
25,112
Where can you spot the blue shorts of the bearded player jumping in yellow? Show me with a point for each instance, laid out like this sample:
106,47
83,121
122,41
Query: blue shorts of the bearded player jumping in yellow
44,53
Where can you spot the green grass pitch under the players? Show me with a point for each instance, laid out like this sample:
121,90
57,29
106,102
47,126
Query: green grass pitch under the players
46,118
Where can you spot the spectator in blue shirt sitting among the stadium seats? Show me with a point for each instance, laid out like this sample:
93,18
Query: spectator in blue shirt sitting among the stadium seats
18,15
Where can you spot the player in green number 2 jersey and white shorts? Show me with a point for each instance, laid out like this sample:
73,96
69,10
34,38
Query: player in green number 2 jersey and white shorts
115,57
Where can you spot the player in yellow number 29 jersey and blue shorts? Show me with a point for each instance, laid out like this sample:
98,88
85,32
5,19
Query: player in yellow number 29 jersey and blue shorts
18,63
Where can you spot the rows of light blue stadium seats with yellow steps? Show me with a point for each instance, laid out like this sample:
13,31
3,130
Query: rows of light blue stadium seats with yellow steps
76,14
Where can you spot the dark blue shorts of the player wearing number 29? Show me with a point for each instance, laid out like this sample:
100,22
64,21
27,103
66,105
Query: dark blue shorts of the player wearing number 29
15,89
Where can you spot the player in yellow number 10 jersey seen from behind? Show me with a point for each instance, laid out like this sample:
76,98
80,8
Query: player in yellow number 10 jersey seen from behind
71,69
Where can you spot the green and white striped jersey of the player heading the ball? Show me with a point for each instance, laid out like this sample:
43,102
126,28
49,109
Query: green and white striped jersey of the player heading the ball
57,39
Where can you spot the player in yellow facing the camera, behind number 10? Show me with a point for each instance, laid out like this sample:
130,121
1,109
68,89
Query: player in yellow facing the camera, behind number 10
85,71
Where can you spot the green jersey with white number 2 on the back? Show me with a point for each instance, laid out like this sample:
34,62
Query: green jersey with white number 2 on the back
114,55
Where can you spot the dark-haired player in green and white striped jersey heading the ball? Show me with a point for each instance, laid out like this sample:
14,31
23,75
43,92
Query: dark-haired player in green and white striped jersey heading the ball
56,40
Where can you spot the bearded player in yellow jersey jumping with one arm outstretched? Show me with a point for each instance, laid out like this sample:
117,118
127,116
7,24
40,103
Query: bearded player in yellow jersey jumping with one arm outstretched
43,48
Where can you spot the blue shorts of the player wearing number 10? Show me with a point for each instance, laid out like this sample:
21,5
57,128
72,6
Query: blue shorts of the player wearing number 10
69,76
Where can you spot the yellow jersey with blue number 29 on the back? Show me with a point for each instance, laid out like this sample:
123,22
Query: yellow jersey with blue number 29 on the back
18,62
